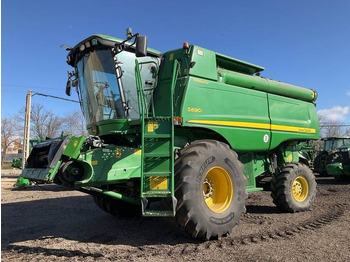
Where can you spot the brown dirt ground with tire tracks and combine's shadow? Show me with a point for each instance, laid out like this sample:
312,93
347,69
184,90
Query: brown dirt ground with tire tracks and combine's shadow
51,223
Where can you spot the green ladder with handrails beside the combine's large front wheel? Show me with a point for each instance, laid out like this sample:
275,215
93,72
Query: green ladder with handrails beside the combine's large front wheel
157,159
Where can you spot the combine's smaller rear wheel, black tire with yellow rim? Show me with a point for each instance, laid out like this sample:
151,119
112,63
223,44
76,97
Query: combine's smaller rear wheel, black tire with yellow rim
294,188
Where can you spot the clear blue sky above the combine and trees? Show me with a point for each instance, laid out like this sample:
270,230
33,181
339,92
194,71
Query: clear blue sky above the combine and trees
300,42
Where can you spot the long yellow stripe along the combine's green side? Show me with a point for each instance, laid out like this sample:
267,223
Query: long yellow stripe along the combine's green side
255,125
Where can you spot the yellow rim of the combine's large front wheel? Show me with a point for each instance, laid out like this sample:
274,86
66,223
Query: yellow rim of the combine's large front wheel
218,189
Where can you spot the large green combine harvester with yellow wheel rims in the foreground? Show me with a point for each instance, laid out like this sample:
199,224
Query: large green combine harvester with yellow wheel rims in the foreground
183,134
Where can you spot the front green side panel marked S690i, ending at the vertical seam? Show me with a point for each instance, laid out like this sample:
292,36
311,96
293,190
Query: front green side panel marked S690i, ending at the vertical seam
198,109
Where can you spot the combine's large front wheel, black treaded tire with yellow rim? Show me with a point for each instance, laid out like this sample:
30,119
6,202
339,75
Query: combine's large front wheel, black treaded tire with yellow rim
210,189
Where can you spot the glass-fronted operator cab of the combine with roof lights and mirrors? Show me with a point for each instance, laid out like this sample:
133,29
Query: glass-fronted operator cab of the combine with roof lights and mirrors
104,75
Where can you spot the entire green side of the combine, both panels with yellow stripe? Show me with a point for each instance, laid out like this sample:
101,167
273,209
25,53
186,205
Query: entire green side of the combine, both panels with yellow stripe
228,111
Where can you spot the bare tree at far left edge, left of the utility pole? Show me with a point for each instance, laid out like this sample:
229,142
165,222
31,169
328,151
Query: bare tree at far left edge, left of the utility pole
10,130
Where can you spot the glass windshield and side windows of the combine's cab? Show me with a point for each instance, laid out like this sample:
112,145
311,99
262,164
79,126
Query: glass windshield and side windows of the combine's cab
108,86
